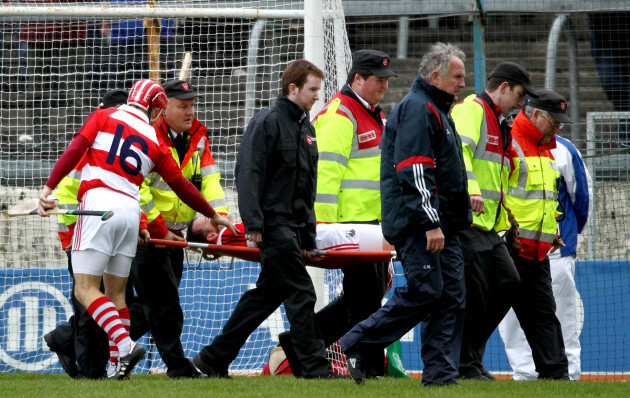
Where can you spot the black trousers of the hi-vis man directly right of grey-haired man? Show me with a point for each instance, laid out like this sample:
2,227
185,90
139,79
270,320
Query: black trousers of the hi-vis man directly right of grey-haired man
491,284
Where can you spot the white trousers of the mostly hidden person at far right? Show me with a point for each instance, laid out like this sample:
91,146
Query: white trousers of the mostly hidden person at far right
570,313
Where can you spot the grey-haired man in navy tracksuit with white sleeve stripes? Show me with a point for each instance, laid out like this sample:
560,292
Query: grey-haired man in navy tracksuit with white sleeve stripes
424,199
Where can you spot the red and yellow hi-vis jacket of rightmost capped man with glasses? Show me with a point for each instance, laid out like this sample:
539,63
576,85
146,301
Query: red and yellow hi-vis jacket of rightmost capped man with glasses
533,192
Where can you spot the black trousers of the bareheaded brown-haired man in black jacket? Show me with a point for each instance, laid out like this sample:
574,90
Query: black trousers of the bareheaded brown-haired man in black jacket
283,279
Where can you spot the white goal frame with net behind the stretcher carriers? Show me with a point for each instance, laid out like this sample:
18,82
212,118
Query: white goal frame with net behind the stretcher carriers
58,59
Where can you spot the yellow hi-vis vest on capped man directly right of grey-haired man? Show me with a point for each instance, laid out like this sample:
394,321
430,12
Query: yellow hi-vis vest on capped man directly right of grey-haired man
487,168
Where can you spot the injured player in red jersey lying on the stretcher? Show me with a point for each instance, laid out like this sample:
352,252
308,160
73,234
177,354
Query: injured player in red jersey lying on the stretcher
333,236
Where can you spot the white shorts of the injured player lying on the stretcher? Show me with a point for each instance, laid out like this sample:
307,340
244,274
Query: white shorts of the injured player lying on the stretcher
364,237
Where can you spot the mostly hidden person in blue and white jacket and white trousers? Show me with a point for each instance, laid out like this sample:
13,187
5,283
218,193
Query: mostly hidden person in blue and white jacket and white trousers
575,196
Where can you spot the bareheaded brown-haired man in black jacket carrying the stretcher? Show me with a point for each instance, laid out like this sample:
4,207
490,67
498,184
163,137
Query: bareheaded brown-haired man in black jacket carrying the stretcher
276,171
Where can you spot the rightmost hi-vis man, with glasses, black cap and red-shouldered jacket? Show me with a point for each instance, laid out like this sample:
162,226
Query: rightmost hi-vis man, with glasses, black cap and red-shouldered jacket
533,199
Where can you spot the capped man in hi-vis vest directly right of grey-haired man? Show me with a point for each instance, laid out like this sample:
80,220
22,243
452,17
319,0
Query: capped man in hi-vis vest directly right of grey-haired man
491,277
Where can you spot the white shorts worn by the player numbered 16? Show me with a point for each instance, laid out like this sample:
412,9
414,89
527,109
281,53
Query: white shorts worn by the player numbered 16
116,236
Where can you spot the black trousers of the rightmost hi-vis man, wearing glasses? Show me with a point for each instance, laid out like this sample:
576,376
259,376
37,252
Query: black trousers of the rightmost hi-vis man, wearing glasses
535,309
